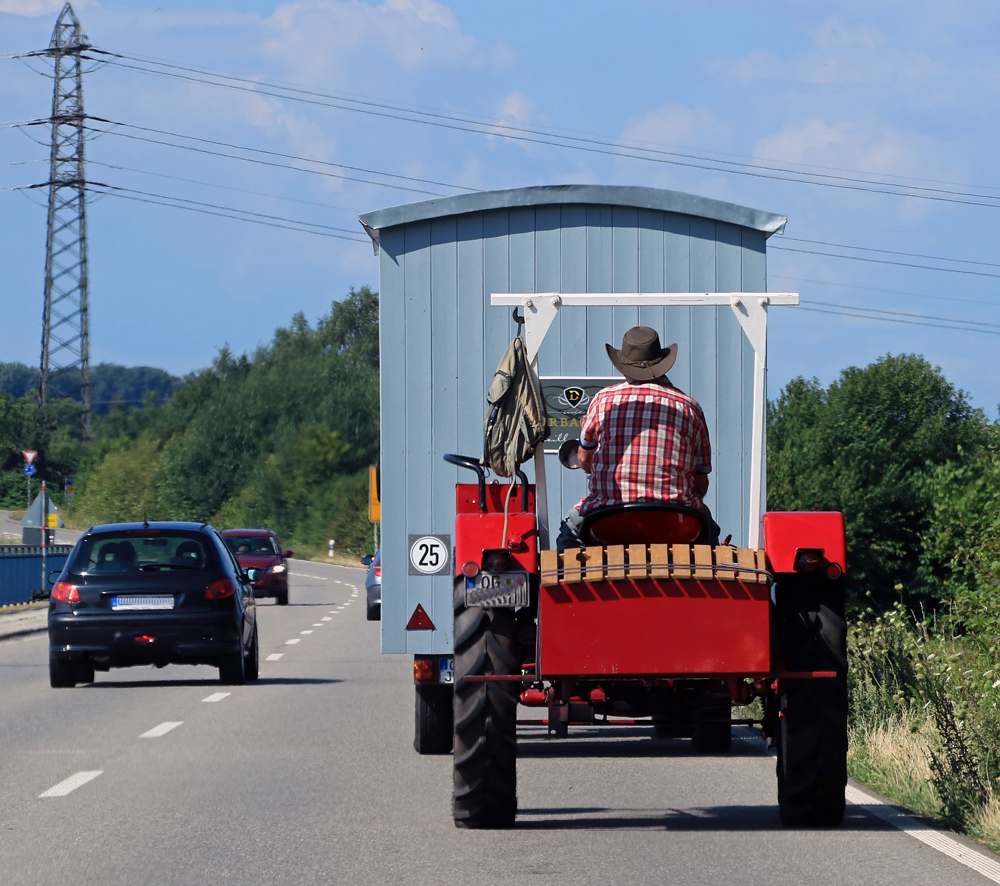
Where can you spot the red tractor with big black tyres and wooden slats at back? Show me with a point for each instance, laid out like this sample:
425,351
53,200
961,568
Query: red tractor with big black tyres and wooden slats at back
647,624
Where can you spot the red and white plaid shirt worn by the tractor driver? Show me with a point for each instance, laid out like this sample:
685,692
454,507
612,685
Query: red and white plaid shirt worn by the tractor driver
650,441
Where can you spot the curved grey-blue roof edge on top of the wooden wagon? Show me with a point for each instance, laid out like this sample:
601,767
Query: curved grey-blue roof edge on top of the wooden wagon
607,195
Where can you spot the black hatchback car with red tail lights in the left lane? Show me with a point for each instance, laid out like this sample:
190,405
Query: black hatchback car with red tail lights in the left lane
151,594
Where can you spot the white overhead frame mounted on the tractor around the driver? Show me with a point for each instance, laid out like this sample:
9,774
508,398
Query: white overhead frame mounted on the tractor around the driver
750,308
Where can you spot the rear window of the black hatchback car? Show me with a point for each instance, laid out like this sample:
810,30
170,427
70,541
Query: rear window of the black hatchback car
137,551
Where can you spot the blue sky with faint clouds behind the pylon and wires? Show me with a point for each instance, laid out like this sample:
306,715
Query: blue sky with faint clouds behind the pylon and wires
890,92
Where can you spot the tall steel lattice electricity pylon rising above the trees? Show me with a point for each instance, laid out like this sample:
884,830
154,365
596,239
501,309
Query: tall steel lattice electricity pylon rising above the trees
65,323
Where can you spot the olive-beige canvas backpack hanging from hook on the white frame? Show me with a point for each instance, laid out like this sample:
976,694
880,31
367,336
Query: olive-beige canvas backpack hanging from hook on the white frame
516,421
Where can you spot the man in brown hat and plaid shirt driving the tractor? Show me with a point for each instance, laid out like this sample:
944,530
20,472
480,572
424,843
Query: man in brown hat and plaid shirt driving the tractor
643,441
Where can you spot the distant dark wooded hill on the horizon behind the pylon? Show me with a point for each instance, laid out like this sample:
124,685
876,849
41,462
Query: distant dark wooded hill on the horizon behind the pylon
107,382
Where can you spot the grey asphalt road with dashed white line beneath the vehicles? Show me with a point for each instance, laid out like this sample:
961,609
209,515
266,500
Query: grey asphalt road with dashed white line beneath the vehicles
309,777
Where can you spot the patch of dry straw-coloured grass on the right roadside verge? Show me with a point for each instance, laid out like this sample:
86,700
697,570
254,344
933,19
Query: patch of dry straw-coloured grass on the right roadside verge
892,758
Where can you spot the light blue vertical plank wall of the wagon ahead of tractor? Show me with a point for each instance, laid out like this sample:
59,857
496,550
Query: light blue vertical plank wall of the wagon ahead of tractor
441,341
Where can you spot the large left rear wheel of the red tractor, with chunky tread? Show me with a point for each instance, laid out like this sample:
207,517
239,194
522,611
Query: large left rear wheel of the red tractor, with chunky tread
485,727
